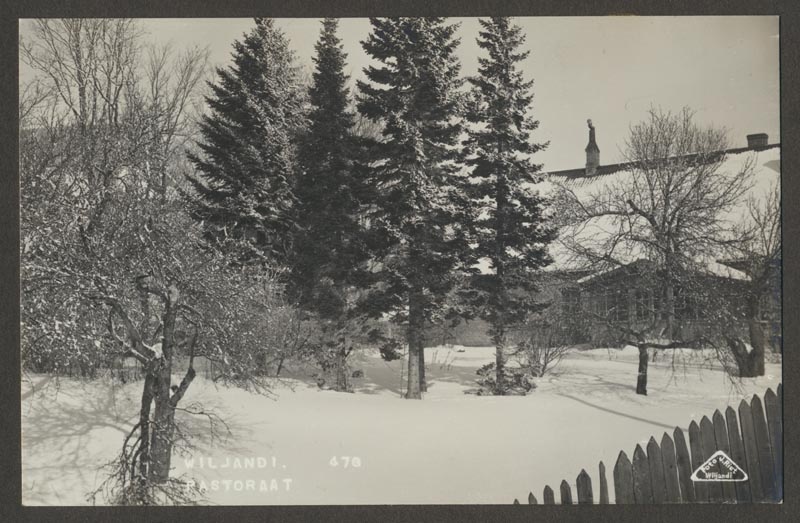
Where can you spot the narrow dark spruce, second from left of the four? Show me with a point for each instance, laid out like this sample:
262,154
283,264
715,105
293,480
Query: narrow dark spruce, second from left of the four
328,257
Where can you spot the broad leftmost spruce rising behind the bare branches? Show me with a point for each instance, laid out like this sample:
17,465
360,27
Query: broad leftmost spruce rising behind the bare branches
245,168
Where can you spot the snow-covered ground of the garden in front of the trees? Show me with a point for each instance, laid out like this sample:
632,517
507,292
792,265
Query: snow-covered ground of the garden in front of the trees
311,446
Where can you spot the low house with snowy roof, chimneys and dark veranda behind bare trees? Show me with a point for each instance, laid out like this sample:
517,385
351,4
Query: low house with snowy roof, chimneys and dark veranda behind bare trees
623,294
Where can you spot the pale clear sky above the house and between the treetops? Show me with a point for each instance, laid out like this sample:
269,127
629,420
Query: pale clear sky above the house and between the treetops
609,69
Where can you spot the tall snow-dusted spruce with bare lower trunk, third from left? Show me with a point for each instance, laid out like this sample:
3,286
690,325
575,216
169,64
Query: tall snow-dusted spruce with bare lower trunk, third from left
415,217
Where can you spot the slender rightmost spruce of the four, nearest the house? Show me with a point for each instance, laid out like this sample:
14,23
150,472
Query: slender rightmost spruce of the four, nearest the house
508,223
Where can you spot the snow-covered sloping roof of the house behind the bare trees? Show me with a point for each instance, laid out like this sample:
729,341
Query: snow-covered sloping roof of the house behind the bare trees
766,161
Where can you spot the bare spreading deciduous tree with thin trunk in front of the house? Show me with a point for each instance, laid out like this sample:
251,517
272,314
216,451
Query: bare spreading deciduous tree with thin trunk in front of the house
668,209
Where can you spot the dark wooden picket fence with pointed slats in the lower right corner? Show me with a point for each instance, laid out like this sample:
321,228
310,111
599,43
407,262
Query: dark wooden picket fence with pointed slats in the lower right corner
662,473
